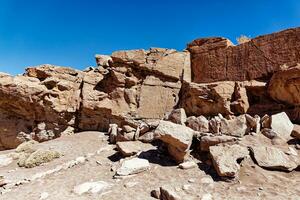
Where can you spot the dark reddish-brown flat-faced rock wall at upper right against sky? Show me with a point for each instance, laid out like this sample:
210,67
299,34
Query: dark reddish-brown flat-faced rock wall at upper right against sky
217,59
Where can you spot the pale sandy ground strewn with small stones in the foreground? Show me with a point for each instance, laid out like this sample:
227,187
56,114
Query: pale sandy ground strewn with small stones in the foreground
254,182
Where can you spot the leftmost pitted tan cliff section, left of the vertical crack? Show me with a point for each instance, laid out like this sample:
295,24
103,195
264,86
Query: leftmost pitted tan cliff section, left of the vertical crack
38,105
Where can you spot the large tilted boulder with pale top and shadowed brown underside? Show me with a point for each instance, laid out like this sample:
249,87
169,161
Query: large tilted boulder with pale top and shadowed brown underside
178,137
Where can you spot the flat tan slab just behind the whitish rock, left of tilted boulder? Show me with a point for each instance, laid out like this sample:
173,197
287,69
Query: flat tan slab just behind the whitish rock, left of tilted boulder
130,148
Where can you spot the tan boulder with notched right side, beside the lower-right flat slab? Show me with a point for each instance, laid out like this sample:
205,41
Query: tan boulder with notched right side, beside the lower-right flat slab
225,158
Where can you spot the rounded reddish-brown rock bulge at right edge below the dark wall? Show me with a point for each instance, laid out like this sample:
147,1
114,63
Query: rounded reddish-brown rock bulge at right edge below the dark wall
284,86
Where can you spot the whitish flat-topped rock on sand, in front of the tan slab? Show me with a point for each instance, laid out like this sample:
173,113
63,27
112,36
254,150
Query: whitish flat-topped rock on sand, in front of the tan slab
133,166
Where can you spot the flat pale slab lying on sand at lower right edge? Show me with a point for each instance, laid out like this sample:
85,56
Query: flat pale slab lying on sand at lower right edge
274,158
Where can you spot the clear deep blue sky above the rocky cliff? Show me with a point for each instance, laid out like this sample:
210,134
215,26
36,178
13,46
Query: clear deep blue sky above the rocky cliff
71,32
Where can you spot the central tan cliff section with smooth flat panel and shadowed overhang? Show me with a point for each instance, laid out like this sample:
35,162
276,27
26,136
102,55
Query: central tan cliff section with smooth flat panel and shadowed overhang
138,85
